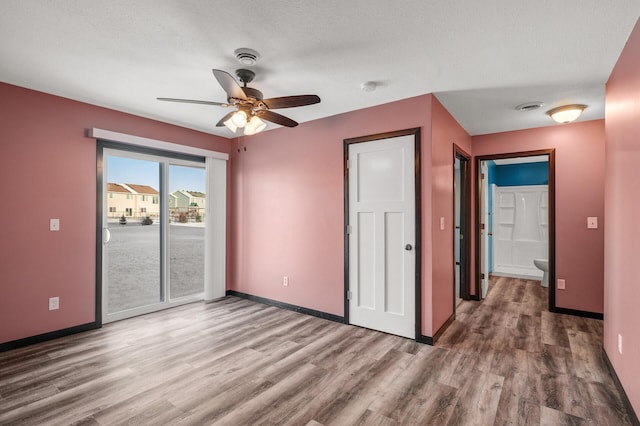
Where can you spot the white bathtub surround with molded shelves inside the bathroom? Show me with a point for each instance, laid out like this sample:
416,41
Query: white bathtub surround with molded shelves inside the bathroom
520,230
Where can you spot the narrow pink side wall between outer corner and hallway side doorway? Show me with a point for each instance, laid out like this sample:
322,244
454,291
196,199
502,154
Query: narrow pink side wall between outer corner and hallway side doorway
445,132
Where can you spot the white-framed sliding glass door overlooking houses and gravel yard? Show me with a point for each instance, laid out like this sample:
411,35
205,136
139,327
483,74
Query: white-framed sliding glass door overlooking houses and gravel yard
153,232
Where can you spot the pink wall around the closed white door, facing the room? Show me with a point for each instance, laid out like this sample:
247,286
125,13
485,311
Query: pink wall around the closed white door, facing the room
288,189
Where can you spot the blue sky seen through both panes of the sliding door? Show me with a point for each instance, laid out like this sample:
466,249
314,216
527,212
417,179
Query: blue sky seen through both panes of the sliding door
142,172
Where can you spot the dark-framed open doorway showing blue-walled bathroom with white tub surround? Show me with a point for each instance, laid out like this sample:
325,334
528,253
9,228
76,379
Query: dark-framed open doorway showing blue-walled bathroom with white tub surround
515,219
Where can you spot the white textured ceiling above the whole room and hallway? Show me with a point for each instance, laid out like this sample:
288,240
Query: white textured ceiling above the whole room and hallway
480,58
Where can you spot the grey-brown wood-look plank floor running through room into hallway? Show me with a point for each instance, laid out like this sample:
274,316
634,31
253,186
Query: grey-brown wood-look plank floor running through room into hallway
235,362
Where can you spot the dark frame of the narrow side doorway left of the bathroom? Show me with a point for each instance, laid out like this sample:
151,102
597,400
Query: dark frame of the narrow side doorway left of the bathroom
465,223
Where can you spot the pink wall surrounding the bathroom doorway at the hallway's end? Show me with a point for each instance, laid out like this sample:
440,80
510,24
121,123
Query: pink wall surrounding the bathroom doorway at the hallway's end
579,194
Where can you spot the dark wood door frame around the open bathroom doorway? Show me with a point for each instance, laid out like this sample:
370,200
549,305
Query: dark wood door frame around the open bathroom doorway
552,216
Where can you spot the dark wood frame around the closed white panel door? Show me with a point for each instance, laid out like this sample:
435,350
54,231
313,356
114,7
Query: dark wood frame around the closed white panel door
418,218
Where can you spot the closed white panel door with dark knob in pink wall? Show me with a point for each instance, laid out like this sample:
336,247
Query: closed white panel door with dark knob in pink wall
382,256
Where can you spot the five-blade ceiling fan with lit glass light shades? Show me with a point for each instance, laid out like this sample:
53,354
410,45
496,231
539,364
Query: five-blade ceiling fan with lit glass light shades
250,107
